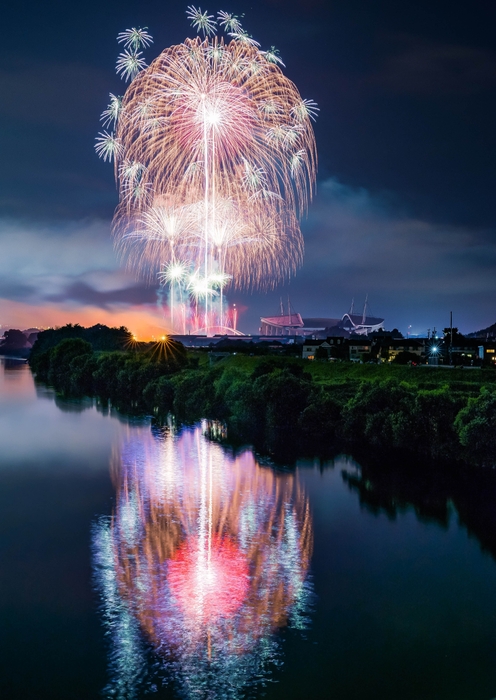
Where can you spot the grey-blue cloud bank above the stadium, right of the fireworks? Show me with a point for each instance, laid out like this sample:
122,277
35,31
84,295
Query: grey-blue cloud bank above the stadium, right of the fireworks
413,271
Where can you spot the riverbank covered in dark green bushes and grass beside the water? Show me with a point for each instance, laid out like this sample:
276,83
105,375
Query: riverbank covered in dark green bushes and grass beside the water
277,403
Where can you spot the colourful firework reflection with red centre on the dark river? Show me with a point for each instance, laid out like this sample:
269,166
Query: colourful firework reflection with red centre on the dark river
206,556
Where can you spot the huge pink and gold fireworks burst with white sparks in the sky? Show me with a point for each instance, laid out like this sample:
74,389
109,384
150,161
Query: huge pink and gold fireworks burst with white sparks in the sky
215,161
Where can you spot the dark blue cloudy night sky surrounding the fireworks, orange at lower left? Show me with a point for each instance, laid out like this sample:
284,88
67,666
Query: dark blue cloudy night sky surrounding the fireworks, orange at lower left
405,203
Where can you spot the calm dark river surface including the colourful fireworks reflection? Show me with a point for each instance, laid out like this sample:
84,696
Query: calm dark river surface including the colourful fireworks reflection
138,561
